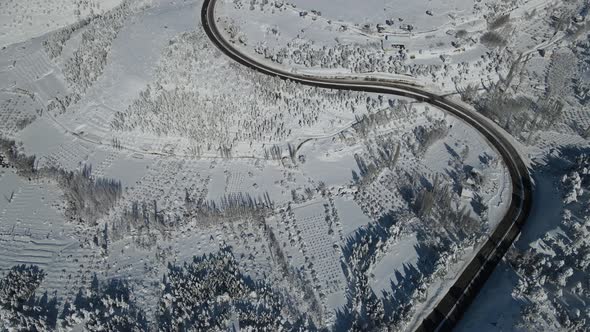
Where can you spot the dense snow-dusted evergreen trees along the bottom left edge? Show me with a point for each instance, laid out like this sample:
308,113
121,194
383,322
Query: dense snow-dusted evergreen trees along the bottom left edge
209,293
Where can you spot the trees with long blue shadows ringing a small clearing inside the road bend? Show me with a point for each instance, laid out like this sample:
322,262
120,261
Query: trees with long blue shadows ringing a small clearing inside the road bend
444,231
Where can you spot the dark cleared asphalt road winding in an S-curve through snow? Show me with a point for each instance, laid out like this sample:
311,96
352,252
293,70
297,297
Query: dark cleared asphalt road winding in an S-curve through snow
454,303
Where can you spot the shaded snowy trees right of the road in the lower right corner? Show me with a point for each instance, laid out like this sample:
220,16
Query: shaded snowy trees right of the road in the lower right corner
559,268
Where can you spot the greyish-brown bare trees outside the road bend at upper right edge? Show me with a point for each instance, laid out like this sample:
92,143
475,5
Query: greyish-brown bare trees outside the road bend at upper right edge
523,115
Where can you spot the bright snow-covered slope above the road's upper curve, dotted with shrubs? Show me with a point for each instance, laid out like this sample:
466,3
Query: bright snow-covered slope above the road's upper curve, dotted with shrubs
398,30
